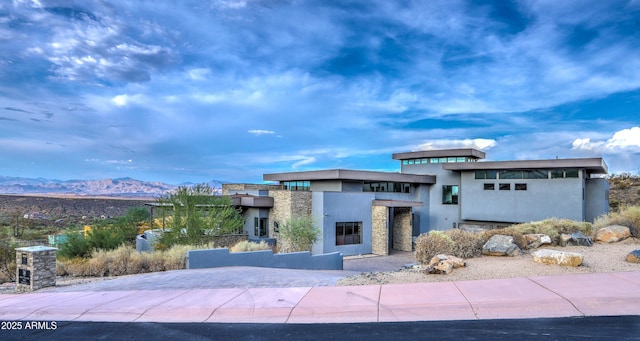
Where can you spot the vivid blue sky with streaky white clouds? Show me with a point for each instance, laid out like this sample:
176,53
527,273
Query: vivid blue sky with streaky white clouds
191,91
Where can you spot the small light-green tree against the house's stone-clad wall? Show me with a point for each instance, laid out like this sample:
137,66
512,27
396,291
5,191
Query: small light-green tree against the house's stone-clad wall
298,234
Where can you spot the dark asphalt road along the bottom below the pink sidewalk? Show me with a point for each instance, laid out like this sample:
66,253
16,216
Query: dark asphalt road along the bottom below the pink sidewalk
574,328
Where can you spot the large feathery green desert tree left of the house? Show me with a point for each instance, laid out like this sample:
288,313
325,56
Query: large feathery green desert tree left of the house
198,215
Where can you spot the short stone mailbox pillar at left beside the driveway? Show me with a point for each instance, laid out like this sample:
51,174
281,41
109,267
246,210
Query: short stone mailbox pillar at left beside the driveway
36,267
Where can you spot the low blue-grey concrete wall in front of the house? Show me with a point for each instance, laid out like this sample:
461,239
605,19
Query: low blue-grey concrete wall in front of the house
214,258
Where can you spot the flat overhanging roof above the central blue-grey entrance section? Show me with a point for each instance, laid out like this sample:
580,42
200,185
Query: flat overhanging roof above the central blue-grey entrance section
346,174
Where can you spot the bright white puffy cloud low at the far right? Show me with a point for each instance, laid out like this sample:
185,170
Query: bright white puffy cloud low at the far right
622,141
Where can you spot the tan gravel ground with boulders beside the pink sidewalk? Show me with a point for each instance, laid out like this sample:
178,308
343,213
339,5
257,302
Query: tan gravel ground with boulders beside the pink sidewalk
597,258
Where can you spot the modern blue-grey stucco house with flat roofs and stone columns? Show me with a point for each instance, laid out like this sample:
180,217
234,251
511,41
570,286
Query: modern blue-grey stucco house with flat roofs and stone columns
363,212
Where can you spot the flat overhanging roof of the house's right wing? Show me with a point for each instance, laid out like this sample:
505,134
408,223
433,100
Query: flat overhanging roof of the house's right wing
593,165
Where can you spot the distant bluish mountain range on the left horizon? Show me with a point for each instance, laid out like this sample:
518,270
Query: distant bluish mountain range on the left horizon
120,187
